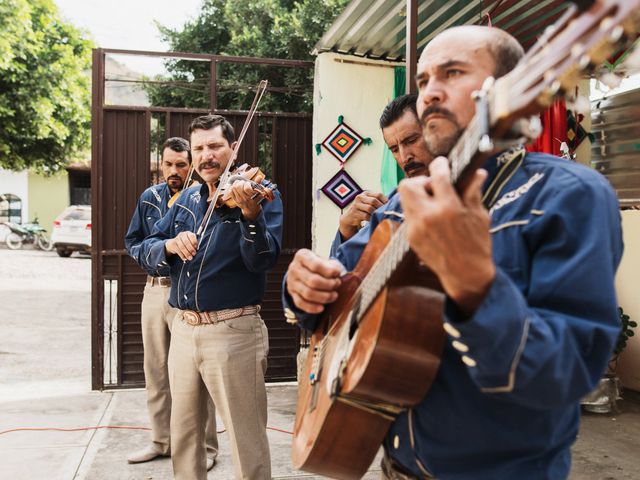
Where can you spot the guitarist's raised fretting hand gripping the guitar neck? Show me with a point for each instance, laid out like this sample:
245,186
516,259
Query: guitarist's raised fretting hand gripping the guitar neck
450,233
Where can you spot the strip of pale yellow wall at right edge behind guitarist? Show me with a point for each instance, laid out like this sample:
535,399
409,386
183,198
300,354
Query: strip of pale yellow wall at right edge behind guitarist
627,282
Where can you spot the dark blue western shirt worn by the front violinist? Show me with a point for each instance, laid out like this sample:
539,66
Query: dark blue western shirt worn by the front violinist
229,268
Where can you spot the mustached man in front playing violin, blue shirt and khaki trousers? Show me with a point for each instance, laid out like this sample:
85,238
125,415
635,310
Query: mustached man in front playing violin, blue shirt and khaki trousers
219,342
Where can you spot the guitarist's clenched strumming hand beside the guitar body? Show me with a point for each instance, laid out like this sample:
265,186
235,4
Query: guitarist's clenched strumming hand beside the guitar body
313,281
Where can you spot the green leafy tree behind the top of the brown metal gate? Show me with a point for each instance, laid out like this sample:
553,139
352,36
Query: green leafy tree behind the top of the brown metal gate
257,28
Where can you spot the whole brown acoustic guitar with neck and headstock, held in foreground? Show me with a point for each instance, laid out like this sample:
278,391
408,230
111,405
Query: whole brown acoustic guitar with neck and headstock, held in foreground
377,349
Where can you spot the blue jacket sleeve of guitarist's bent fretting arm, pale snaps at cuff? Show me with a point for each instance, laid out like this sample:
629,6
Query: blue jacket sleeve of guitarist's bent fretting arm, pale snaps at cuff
547,344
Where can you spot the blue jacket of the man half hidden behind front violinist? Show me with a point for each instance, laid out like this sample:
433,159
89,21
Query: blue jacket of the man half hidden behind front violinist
152,206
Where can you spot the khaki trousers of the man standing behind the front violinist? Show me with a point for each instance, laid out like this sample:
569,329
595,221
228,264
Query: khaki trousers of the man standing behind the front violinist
157,317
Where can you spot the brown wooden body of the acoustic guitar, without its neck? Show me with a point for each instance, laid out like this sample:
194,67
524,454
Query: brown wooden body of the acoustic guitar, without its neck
358,376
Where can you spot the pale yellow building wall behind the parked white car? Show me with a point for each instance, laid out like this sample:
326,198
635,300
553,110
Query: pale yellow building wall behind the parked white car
48,197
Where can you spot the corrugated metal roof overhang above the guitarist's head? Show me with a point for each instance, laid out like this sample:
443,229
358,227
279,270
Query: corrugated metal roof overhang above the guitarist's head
376,28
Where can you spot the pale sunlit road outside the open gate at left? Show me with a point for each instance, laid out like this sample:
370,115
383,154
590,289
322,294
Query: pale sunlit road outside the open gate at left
45,307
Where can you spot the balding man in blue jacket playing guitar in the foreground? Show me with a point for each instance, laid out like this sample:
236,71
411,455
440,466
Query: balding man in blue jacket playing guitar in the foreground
526,255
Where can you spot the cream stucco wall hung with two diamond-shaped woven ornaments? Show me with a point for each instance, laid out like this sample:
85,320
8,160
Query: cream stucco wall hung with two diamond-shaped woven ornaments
358,90
